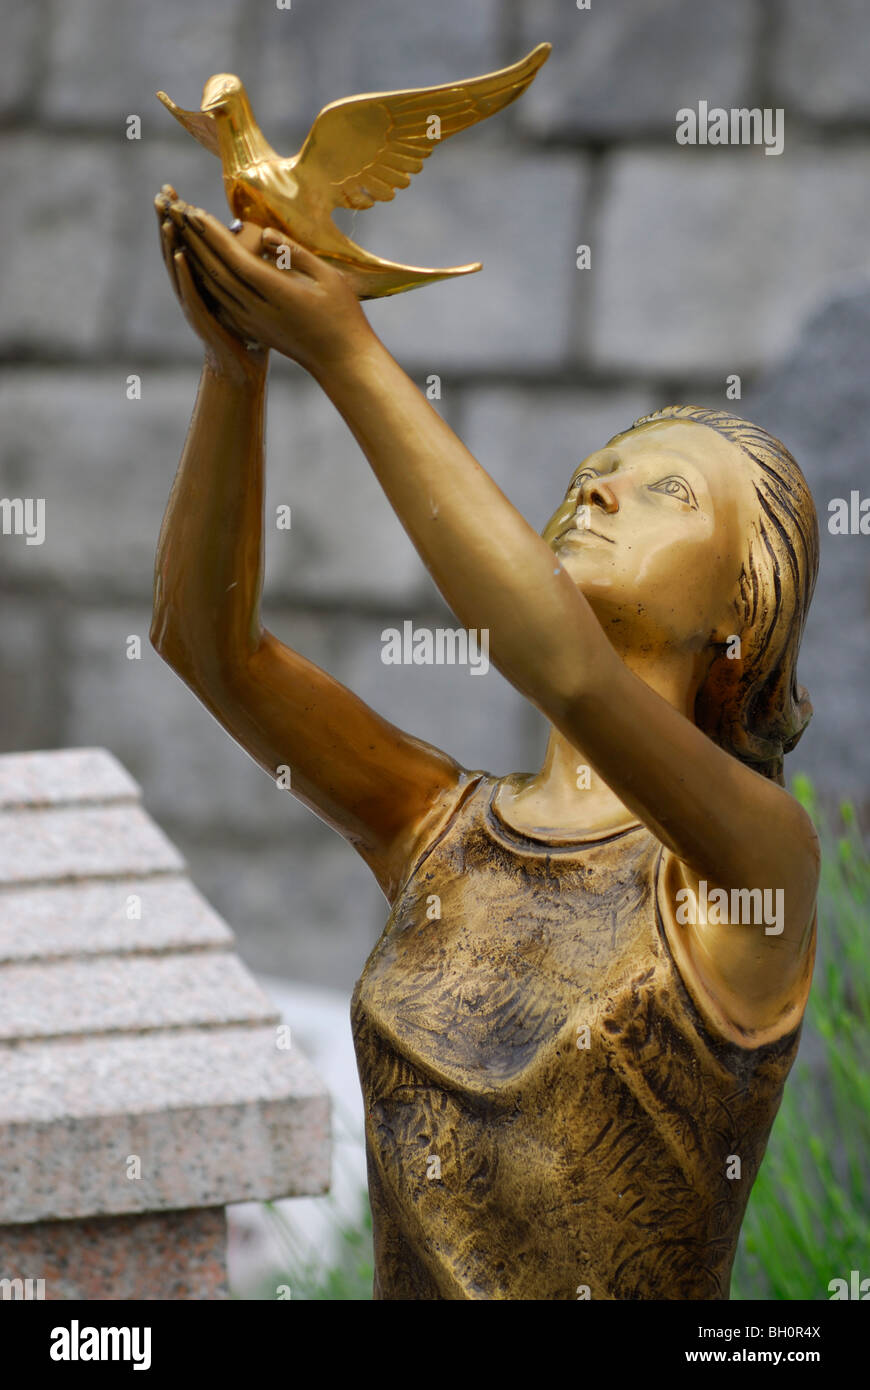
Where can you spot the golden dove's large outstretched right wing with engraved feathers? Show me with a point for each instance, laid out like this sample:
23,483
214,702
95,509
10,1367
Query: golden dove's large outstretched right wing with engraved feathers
365,148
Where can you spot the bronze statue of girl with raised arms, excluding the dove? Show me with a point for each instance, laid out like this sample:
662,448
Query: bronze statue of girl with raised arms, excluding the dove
576,1028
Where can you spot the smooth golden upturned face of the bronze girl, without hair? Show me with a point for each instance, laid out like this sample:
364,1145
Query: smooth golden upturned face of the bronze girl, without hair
654,532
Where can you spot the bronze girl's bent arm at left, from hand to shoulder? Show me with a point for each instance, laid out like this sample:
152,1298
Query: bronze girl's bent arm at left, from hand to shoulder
379,787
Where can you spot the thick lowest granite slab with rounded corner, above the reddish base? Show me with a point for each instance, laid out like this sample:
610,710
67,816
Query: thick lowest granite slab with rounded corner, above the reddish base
216,1117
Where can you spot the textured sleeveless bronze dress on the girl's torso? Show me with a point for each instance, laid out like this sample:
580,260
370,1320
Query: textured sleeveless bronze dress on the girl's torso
547,1113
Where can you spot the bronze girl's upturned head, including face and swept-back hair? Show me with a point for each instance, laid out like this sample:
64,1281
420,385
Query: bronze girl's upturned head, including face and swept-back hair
696,533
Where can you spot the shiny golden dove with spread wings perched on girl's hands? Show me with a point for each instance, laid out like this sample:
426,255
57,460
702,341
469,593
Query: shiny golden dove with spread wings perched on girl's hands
359,151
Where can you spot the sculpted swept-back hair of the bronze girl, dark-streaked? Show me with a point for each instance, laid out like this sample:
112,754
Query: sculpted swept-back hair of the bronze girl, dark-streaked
753,707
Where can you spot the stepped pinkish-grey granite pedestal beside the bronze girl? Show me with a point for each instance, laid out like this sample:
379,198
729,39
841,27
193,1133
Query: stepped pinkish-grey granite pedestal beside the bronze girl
145,1079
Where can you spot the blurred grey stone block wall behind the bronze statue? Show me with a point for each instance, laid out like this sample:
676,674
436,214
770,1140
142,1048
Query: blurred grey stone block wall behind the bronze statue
705,262
